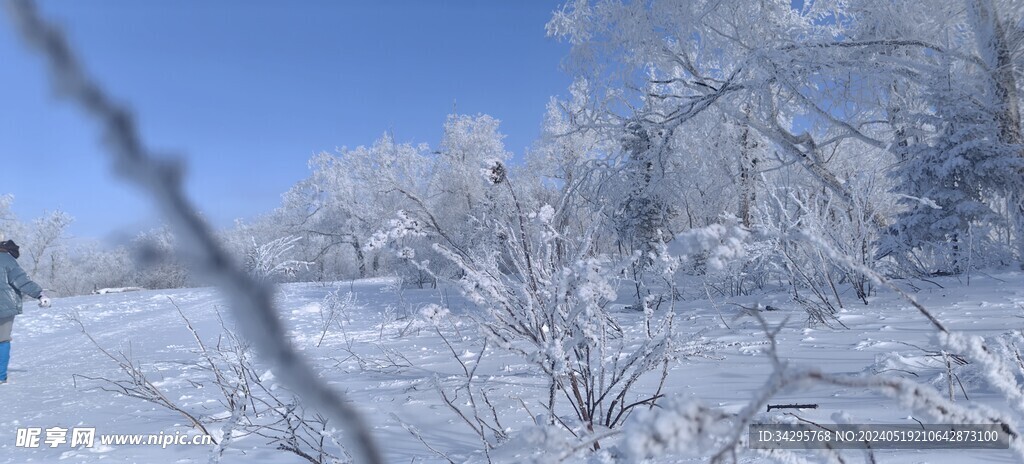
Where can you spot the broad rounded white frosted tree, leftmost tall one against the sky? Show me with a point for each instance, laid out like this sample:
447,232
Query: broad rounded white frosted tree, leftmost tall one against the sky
348,197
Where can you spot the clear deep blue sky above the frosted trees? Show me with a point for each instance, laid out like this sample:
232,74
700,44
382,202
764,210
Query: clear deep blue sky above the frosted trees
247,92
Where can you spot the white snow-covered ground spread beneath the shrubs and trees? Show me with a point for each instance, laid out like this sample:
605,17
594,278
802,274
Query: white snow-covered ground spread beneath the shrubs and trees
391,361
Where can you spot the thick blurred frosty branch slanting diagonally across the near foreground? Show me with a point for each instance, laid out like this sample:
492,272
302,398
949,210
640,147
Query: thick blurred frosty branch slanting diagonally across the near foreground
251,302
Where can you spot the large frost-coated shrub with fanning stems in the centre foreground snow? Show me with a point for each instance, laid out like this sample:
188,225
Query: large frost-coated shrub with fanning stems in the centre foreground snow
546,297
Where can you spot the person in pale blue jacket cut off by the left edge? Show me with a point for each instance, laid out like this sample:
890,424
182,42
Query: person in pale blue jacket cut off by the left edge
19,284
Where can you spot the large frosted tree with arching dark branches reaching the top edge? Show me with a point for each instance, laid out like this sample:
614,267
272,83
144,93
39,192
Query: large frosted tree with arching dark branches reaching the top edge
690,70
